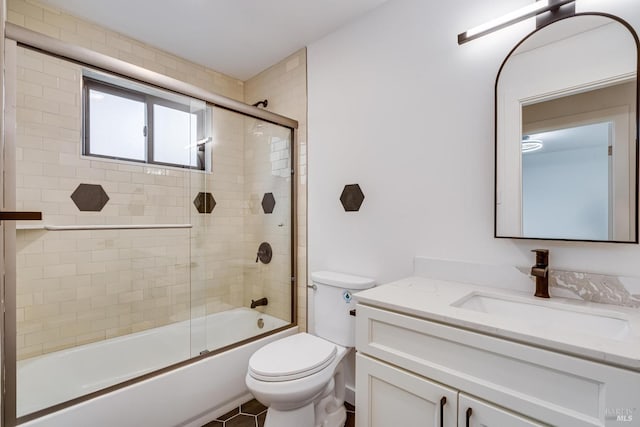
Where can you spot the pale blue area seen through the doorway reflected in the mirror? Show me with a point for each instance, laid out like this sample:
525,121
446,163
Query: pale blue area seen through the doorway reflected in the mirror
569,171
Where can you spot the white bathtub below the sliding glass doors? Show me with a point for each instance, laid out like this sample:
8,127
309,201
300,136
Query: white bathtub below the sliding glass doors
183,397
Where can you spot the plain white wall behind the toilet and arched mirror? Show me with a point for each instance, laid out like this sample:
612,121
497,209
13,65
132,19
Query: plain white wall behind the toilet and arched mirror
398,107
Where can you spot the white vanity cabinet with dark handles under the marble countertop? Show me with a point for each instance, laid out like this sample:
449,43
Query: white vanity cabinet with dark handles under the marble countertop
405,365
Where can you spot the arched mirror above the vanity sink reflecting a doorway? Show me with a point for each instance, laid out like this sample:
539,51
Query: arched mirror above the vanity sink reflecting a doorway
566,133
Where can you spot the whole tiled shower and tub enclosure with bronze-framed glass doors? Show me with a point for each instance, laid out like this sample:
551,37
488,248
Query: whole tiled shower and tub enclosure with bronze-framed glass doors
192,258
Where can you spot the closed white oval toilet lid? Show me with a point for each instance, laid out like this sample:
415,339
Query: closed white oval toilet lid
293,357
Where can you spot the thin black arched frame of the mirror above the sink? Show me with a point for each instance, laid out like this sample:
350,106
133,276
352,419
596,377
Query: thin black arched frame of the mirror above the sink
633,239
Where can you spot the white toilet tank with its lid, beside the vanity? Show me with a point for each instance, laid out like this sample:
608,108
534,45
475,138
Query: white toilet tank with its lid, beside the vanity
332,302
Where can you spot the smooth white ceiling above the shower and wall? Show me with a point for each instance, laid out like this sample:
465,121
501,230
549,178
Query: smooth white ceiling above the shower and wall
239,38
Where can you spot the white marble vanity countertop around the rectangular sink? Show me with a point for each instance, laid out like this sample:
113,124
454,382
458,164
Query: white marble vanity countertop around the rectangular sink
437,299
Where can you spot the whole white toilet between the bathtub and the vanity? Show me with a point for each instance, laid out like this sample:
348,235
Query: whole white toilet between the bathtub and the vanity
300,378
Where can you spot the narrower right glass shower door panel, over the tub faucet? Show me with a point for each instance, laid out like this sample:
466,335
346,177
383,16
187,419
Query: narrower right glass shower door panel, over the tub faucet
248,247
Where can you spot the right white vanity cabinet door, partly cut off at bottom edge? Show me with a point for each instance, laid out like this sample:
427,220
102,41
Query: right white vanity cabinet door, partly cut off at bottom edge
475,413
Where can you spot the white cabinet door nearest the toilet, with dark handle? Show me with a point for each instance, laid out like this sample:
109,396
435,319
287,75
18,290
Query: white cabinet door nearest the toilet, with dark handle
391,397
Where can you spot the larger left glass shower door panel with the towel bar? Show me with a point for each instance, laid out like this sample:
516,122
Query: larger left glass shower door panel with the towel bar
103,282
